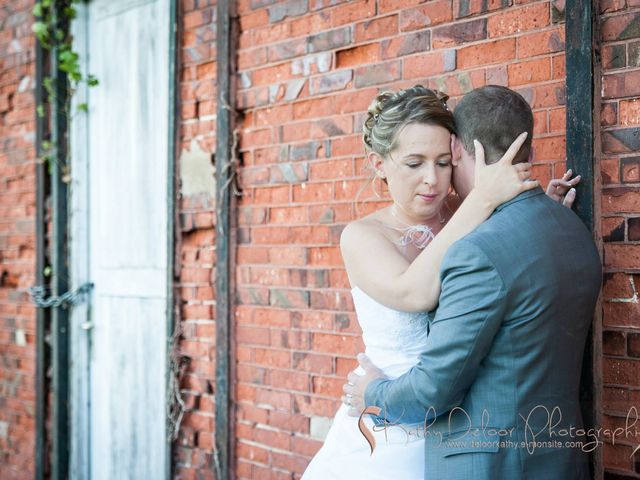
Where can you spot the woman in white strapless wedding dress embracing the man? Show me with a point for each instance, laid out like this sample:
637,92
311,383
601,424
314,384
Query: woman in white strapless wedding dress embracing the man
393,257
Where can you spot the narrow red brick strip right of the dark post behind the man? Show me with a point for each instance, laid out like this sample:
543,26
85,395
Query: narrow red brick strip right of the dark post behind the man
620,166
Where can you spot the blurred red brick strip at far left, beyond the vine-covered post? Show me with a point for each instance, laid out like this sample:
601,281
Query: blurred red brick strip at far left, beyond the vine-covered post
17,240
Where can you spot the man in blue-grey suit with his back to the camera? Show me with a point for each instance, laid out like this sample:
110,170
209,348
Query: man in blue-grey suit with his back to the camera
496,387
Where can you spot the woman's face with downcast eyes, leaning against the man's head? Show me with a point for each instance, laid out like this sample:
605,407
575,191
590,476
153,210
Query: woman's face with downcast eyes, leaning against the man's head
418,171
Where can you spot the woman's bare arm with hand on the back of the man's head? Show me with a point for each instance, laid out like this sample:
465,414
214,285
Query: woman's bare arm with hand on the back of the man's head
381,272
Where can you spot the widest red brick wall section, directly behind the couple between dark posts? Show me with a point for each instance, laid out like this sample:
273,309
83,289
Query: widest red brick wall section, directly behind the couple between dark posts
307,72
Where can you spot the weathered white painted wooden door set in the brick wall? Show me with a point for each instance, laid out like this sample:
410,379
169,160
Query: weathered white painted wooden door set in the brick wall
118,241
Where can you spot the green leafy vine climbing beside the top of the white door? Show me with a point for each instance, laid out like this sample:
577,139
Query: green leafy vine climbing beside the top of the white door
50,28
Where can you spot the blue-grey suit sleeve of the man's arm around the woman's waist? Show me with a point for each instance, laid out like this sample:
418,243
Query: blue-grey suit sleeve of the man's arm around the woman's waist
471,309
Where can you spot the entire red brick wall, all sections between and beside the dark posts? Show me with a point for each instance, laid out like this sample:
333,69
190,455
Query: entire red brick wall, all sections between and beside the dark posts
308,70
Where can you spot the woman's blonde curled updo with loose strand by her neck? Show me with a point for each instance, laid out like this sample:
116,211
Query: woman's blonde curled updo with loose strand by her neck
391,111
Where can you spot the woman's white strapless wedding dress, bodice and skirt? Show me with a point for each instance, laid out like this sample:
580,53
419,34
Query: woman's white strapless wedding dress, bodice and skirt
393,341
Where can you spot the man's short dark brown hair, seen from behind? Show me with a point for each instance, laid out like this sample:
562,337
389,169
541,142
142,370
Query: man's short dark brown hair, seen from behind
494,116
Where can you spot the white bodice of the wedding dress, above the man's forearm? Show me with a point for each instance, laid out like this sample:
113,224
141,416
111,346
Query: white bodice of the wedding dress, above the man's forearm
393,339
